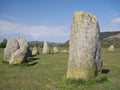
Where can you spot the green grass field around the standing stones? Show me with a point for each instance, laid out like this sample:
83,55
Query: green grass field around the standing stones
47,72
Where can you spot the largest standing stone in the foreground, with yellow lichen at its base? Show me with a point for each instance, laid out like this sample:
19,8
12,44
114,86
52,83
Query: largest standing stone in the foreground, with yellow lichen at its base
85,48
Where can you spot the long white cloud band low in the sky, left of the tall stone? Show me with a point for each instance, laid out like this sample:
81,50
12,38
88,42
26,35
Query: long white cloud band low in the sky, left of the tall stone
36,32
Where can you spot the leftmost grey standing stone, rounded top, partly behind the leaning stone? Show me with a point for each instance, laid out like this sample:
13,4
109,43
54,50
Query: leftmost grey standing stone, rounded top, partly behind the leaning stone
11,47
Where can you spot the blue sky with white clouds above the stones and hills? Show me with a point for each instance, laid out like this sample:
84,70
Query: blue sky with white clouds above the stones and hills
50,20
